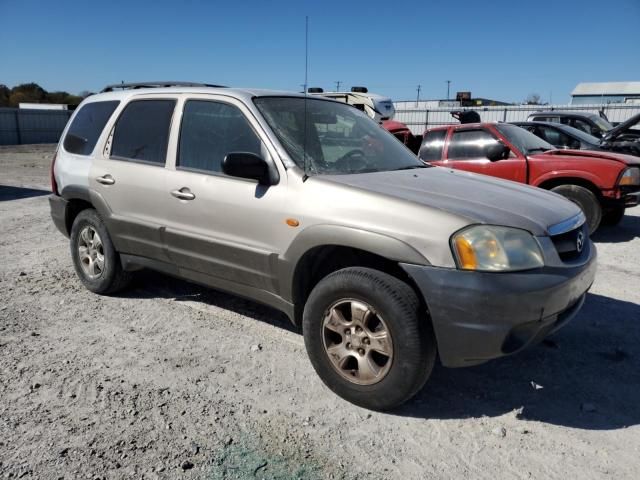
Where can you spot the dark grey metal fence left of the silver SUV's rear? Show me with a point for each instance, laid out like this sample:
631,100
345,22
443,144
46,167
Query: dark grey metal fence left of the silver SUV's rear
22,126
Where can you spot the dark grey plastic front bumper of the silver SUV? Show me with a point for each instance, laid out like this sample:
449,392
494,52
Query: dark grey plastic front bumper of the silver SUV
479,316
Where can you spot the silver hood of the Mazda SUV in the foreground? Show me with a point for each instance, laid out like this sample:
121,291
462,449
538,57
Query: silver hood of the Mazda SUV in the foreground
478,198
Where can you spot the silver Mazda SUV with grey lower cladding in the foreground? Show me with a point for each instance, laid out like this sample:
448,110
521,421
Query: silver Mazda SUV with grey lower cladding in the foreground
307,205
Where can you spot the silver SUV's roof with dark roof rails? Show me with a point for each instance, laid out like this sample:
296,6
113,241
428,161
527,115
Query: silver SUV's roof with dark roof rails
245,94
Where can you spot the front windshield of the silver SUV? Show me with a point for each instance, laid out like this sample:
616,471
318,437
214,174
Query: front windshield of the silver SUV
339,139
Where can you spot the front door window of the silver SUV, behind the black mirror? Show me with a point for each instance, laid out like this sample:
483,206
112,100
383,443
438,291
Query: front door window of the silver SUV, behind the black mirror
209,131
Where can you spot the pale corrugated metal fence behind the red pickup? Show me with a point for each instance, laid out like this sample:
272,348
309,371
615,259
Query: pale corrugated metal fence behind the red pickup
418,119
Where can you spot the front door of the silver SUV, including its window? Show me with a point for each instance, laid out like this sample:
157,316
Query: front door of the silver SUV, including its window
229,228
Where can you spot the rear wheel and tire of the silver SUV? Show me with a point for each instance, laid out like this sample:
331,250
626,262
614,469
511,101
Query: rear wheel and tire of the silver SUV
95,259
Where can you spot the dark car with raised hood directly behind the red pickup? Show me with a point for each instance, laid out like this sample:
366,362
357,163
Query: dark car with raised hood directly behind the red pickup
625,138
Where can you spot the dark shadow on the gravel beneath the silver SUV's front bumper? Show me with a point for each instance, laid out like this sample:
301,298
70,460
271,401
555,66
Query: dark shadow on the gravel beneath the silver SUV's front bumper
589,372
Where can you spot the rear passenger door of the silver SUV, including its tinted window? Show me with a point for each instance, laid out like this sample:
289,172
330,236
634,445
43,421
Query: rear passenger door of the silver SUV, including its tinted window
130,176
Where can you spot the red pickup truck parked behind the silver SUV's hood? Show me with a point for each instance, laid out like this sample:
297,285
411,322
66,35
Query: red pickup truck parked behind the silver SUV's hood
603,184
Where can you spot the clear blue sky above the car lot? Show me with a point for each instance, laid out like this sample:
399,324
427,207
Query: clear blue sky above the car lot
496,49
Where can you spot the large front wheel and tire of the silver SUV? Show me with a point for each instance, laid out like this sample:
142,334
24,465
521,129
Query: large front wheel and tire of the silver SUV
393,307
